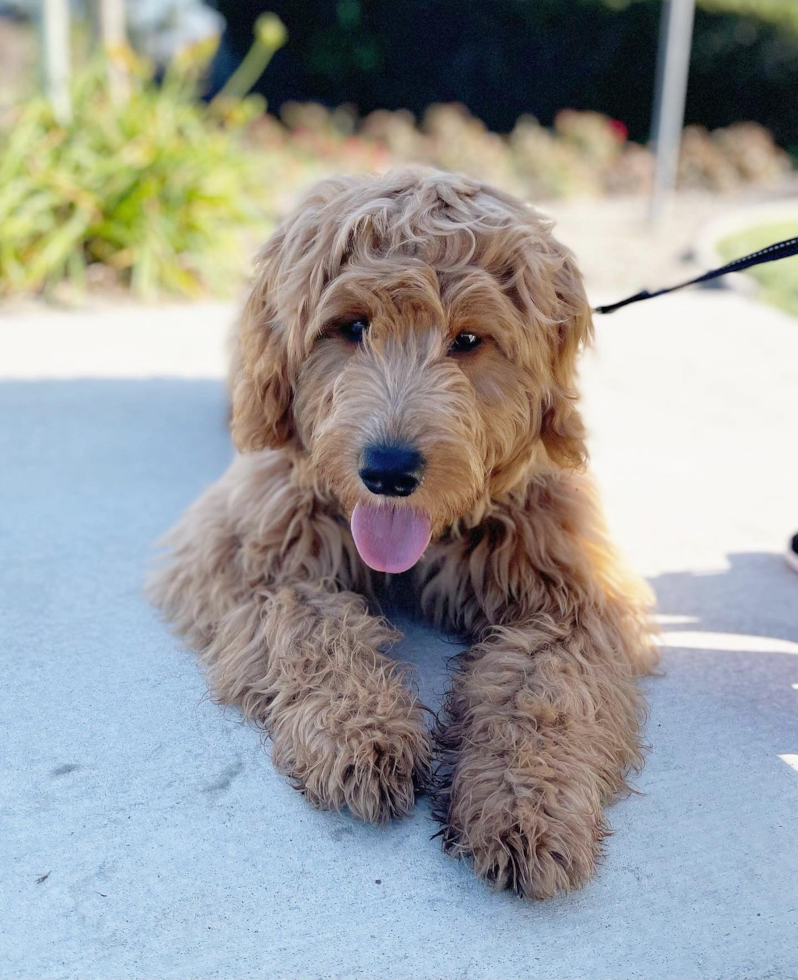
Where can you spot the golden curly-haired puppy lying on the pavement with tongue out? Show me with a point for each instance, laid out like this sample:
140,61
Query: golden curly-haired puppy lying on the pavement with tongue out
404,402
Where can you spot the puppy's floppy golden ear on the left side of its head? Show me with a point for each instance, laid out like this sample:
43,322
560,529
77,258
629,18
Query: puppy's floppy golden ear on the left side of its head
261,388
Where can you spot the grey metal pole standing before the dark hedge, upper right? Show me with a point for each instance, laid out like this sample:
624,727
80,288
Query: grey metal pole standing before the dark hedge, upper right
673,66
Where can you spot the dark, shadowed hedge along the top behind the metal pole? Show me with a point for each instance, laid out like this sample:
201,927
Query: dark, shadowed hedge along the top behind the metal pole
504,58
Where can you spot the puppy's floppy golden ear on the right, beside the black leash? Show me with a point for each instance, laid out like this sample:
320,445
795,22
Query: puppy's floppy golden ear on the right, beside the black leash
571,327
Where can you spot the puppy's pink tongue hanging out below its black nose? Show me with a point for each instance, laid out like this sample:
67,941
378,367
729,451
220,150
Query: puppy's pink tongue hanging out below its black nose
390,539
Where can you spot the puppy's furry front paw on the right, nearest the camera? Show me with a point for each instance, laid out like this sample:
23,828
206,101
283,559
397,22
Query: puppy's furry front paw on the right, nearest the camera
520,831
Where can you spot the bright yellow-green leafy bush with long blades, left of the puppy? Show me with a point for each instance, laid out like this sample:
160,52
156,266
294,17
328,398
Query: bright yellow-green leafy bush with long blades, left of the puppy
155,189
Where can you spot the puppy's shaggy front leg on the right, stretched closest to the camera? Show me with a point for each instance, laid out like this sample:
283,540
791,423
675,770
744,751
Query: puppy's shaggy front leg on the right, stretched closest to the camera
542,728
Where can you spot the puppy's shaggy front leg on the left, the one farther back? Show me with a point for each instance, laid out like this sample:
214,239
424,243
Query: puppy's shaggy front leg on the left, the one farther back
306,664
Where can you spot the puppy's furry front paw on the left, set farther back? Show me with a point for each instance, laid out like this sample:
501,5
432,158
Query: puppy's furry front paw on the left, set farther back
371,762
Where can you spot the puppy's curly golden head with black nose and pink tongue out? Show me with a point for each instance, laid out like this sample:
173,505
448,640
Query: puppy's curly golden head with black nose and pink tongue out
416,335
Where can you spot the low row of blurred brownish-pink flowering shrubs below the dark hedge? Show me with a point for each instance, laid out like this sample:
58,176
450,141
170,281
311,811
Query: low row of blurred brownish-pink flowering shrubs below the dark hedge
585,153
